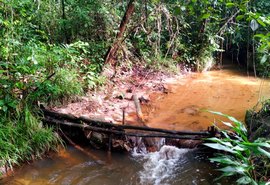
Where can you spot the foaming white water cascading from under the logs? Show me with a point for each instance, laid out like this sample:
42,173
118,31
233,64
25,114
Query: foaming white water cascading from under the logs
159,166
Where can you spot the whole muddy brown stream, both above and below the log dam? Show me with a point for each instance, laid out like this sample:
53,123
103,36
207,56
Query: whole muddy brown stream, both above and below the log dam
229,91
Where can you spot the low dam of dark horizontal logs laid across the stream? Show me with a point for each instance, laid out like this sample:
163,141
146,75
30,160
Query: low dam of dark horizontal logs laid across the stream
100,132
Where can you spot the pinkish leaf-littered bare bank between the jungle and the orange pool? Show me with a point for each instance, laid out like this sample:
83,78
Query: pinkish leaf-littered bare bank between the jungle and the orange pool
110,100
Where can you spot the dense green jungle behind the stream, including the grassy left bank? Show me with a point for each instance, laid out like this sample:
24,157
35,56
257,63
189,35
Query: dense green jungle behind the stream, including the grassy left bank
51,50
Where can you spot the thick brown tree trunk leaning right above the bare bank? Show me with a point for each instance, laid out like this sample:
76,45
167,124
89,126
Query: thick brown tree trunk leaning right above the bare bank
110,56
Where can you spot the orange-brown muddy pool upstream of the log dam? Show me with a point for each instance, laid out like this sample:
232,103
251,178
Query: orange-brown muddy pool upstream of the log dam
229,91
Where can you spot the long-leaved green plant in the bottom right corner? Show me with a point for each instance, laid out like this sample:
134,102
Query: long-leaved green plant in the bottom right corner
238,156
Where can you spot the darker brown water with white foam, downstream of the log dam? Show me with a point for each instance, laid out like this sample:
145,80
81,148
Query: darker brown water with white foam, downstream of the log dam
169,166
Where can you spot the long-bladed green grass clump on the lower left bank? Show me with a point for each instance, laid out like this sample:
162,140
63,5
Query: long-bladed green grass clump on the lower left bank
24,139
